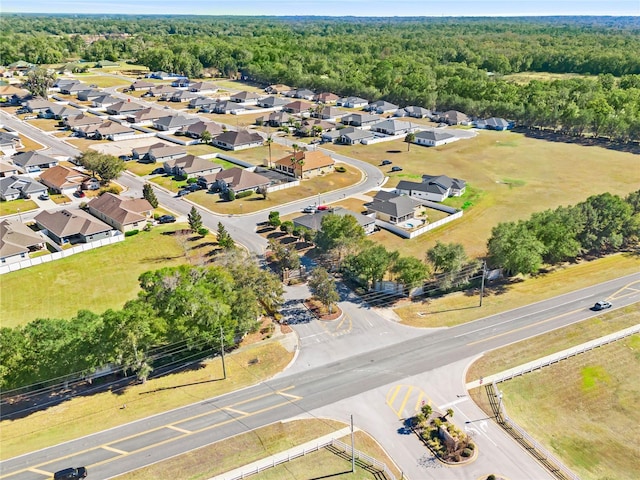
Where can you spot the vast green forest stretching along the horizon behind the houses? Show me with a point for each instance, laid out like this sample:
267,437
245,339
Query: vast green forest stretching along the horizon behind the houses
436,63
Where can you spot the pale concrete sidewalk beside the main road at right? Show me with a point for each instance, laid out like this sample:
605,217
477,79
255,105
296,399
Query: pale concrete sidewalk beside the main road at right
554,357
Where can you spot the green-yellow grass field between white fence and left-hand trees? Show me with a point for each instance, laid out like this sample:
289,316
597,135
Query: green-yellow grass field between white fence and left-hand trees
96,280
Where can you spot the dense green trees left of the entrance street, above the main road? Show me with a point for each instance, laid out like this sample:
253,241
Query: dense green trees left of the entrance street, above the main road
181,309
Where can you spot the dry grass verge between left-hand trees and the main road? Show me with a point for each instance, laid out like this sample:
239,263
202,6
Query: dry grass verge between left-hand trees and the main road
89,414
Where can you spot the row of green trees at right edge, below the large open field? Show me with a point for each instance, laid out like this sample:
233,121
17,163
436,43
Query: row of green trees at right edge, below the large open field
601,224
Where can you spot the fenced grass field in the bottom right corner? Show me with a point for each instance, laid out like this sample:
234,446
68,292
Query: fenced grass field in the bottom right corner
585,409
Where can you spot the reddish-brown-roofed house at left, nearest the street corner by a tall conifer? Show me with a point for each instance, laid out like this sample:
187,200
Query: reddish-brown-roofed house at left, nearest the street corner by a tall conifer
121,213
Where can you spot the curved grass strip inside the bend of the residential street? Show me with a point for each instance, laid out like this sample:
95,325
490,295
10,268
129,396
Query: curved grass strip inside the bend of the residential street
311,189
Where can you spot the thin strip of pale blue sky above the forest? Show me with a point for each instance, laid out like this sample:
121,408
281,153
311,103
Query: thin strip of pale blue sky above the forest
361,8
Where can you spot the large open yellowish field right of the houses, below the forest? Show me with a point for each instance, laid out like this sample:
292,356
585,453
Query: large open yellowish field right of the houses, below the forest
509,176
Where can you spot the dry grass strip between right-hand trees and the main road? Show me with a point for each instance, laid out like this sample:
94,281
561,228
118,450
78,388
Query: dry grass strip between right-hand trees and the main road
458,307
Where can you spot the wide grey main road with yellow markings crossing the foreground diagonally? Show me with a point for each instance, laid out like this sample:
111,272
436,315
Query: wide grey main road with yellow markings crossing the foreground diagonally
134,445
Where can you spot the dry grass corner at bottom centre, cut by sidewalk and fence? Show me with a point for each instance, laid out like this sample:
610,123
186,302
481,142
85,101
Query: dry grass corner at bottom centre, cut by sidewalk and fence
249,447
